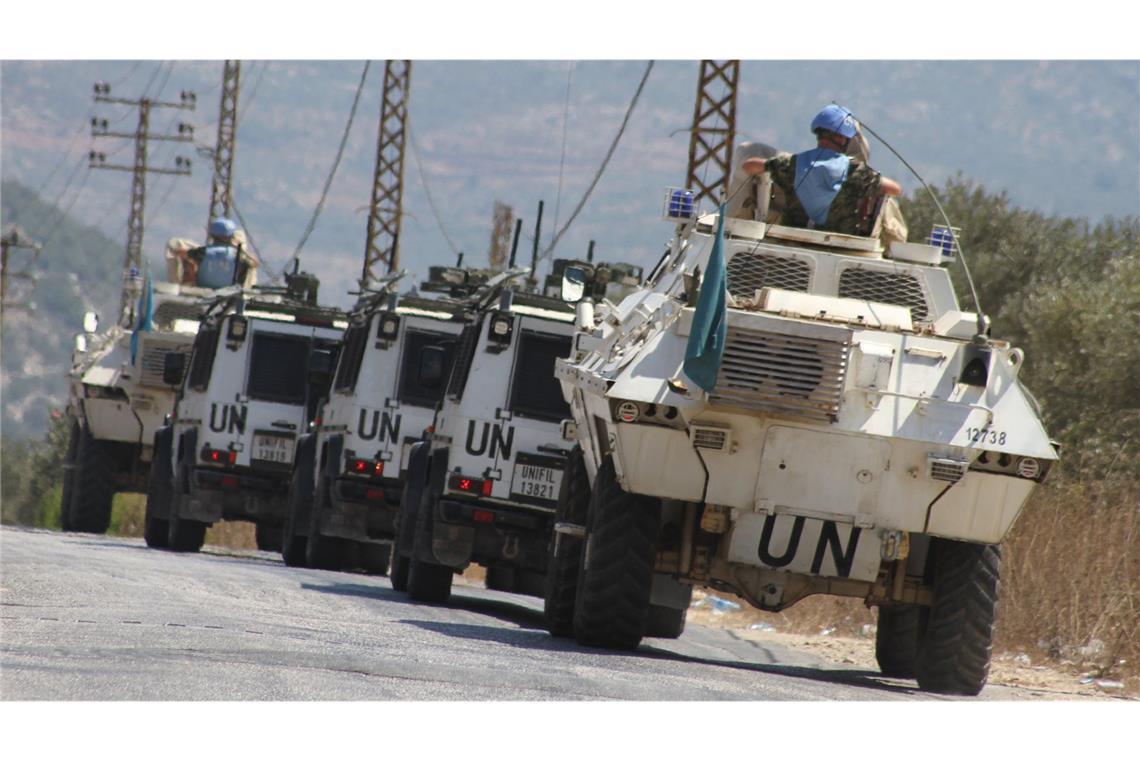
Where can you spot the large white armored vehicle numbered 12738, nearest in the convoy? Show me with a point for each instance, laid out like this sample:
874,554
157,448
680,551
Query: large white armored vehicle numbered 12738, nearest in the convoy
864,438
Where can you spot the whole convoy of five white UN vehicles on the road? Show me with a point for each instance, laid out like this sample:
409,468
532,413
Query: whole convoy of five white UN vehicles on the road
864,437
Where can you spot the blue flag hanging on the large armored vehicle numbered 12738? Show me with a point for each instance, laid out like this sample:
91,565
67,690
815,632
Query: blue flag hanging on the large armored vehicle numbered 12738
705,349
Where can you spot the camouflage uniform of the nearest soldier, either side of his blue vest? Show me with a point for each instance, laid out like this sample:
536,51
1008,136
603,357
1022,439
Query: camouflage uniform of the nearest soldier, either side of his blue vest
851,213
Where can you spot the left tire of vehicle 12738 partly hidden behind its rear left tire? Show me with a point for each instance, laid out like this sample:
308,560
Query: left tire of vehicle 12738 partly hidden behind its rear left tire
564,567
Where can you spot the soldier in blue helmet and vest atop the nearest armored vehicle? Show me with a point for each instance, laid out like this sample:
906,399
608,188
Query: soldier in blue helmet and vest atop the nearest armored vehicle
826,189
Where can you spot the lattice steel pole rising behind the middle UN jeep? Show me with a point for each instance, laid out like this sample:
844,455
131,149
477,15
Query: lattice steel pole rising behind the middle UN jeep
385,215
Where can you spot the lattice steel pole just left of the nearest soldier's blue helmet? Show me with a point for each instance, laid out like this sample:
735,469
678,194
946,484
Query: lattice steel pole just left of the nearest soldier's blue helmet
714,132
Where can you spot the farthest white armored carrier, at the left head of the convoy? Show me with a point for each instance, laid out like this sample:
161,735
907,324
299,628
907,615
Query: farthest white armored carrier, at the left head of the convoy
118,398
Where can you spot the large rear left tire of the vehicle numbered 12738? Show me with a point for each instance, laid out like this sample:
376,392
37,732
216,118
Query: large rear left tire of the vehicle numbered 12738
617,573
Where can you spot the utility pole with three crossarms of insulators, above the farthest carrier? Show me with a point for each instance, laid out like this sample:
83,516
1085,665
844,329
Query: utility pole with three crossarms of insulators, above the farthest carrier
140,169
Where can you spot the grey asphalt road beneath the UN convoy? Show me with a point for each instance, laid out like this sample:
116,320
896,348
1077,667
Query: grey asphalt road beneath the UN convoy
97,618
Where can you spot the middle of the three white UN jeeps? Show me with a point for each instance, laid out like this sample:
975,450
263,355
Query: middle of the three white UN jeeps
349,477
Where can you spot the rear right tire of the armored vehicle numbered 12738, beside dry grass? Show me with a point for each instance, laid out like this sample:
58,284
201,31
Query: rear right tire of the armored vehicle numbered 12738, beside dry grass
955,649
